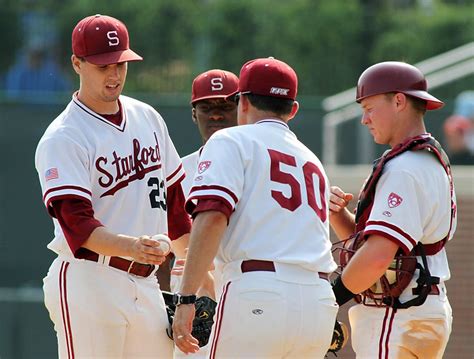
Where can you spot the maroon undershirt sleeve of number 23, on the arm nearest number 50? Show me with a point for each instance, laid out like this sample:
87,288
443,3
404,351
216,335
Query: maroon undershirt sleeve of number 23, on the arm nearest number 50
179,222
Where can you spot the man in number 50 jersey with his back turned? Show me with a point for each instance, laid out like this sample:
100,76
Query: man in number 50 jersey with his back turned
260,201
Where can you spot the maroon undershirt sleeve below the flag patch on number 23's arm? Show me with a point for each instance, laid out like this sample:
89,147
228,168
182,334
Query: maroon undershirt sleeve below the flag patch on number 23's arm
76,218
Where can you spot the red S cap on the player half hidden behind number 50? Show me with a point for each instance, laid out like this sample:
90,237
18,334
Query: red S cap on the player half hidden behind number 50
214,84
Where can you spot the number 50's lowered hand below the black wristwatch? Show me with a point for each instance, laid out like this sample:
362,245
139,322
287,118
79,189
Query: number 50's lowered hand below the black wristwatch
182,328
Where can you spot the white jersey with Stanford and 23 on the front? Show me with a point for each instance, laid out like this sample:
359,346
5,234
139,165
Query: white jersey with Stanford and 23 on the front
123,170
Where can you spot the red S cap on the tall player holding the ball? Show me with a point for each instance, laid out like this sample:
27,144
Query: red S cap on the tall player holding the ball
102,40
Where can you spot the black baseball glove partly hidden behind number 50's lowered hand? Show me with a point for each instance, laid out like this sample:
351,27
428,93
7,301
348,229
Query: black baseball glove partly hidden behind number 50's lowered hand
203,319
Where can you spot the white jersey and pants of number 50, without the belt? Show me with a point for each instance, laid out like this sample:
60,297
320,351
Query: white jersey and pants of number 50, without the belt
277,193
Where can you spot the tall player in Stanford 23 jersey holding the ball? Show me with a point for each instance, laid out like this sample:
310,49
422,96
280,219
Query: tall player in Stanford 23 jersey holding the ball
110,178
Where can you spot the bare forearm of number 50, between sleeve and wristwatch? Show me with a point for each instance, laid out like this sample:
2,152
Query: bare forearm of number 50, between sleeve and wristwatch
206,233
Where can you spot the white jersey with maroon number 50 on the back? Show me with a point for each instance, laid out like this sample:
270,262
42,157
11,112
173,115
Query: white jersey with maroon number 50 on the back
265,164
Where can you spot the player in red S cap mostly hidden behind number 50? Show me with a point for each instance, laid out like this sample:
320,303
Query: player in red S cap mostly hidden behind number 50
211,111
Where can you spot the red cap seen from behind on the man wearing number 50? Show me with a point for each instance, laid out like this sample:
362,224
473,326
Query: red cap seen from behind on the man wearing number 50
268,77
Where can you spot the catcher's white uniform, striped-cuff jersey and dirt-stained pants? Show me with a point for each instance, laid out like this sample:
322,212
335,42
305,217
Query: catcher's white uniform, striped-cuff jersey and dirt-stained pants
412,204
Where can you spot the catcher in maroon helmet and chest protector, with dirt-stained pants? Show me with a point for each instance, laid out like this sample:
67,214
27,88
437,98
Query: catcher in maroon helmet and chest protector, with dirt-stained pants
406,208
